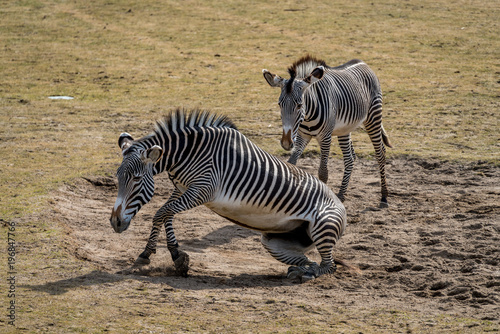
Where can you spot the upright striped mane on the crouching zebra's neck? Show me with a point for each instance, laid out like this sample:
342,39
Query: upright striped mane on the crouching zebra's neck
181,119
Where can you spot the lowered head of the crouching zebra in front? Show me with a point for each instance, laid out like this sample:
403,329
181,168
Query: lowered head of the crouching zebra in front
135,181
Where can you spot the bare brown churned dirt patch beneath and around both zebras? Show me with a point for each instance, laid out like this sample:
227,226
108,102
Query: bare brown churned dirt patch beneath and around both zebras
435,250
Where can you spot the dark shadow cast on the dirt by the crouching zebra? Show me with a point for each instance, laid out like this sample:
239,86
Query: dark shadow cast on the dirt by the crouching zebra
164,273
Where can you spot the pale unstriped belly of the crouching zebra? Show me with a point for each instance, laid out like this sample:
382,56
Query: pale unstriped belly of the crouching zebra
256,218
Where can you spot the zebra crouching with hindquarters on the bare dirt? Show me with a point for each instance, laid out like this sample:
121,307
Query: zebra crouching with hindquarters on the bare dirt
211,163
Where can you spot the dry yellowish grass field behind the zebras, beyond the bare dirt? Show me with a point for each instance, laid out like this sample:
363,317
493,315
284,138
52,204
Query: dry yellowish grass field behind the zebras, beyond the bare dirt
125,62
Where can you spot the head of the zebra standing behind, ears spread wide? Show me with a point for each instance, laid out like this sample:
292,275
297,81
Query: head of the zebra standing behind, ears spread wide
291,101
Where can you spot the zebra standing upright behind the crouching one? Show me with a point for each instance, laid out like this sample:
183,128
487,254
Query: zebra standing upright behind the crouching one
321,101
